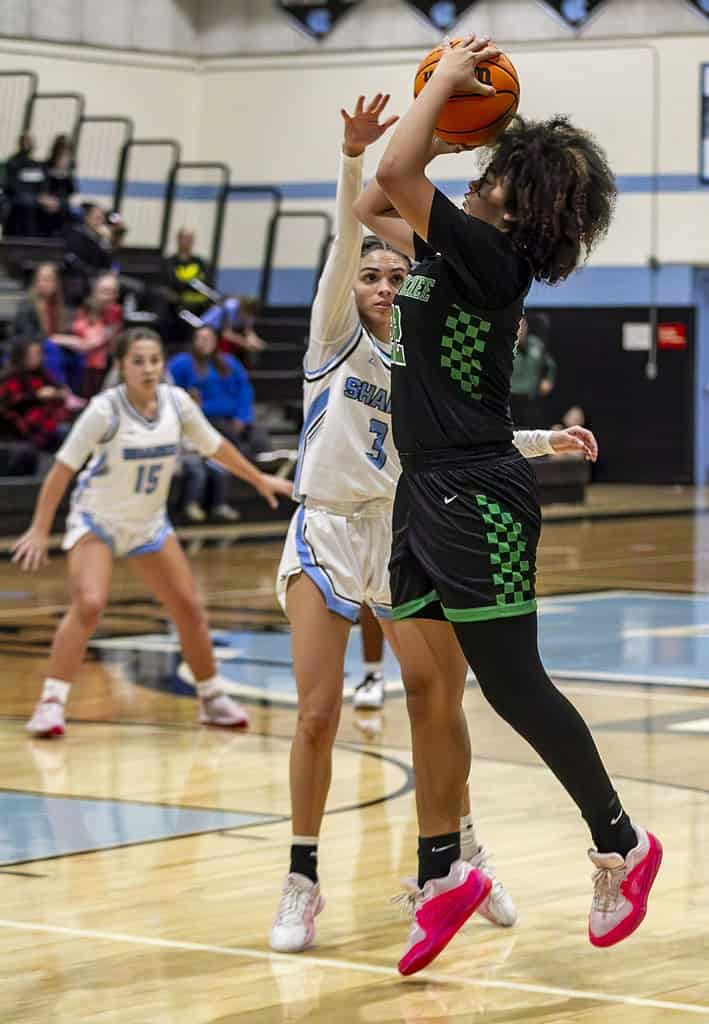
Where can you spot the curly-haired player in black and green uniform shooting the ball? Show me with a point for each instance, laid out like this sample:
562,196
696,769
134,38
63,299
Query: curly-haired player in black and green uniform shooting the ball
467,520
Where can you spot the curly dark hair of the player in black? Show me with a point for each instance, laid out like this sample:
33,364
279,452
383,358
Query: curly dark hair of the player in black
561,191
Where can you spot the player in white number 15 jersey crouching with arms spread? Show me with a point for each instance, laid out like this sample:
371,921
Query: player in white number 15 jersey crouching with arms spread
133,434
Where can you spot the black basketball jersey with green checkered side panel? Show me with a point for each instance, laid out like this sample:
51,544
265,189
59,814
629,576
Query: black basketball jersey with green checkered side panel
454,330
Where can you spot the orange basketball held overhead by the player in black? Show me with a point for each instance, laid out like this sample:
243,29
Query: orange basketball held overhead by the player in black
468,118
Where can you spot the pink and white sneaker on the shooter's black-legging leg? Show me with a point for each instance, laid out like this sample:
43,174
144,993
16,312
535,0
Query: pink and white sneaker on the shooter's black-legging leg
621,888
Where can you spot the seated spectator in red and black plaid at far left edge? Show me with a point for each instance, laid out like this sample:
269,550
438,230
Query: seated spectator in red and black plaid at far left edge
32,404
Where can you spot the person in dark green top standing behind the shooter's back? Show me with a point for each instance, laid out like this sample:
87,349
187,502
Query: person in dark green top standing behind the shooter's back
533,377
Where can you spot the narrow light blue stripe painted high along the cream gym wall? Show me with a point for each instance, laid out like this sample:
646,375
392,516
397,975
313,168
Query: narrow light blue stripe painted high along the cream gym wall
205,193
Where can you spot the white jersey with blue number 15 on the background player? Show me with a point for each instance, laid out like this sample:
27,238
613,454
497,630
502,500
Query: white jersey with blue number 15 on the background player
128,481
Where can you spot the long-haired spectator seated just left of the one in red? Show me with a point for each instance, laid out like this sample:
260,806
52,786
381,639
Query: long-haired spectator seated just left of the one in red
44,315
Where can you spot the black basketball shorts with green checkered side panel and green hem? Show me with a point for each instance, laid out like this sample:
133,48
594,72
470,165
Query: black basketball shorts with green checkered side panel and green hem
466,541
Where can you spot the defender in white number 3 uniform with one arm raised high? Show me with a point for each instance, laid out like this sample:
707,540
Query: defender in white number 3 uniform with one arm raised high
337,554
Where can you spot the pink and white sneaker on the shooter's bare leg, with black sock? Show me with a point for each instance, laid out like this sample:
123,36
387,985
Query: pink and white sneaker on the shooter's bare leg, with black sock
440,910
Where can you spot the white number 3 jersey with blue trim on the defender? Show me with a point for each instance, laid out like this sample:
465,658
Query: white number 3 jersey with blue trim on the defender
347,452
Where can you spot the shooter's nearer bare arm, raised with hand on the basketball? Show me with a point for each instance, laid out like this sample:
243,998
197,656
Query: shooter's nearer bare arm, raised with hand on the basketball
402,170
